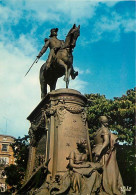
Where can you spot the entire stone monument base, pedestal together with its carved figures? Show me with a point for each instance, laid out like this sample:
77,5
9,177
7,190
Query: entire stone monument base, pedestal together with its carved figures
59,150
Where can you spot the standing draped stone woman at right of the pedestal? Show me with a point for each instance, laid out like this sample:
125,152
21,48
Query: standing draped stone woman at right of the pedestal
105,153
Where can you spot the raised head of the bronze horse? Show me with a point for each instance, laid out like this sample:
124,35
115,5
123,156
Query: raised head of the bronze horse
73,35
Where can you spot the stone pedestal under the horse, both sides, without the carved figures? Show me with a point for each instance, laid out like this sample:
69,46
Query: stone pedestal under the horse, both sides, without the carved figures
57,123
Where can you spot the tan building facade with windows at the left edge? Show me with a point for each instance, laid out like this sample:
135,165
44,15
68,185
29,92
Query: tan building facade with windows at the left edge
6,158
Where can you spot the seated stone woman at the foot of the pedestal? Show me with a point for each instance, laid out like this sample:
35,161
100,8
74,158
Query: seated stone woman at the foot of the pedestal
85,178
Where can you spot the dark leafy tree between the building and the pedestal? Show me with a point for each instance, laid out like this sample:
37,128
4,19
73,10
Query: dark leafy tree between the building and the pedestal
15,172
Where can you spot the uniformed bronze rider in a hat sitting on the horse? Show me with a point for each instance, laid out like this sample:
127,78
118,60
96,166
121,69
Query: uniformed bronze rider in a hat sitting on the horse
54,44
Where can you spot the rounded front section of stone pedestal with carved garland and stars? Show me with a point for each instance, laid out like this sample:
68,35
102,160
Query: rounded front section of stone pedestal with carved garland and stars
66,126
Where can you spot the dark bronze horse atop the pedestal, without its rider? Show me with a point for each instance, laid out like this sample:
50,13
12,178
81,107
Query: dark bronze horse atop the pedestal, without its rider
61,63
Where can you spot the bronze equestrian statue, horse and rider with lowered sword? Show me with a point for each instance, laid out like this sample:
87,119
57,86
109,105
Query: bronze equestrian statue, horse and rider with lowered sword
60,59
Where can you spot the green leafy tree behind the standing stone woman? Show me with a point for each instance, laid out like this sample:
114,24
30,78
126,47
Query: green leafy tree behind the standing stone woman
120,112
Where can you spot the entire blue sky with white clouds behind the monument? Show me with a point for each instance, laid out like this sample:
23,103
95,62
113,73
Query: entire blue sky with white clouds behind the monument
104,54
